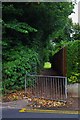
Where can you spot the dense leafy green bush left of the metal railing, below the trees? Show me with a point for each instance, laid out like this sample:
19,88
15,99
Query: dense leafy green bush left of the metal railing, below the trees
19,61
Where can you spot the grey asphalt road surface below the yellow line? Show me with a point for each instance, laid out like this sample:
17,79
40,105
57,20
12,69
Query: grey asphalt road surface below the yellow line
14,113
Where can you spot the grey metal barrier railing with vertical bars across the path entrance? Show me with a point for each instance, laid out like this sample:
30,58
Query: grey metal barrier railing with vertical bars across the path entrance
47,87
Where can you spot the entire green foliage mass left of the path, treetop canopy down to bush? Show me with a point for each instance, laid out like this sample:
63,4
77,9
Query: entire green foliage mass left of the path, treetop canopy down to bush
27,31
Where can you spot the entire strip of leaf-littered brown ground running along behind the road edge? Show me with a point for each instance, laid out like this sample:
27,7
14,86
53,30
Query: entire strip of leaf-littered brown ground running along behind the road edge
37,103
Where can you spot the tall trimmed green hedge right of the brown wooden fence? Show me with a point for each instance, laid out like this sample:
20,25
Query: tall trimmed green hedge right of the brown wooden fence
73,61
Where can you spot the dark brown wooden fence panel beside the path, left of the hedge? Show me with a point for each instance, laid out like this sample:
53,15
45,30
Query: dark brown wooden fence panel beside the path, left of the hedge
59,62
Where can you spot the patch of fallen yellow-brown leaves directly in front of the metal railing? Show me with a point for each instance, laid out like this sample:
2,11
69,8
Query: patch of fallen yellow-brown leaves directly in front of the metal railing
44,103
